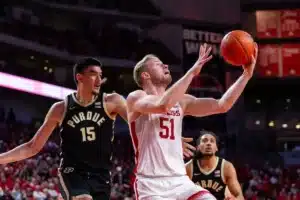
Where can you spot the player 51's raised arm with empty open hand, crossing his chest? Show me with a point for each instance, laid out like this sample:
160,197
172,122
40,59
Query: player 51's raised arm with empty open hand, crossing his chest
139,101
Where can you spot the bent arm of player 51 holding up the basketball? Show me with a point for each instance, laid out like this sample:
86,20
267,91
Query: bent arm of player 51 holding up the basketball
208,106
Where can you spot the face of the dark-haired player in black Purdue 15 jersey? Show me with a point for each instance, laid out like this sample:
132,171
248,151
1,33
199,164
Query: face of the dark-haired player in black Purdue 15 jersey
91,79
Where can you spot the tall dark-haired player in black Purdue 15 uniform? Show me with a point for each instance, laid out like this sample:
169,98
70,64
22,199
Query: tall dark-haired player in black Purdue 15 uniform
86,120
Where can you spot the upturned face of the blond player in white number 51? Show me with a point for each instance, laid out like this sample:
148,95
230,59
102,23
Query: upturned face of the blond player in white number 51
159,72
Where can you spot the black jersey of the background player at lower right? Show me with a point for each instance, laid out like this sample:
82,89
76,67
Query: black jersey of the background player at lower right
212,180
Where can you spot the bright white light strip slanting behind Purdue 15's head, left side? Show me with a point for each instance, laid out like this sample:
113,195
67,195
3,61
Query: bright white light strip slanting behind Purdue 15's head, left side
33,86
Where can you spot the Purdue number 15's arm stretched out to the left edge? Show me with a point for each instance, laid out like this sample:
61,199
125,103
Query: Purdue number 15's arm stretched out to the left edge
32,147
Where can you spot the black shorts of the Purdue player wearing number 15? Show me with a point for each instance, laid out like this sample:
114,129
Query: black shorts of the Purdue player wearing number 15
83,183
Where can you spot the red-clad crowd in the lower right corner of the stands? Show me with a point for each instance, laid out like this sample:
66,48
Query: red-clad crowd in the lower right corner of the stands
270,182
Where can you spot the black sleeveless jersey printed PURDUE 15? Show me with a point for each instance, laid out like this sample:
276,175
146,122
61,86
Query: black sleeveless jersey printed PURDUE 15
86,135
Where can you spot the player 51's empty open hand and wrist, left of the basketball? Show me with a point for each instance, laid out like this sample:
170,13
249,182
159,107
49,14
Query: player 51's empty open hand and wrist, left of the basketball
204,57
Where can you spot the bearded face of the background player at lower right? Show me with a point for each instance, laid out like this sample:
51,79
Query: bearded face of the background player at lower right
208,145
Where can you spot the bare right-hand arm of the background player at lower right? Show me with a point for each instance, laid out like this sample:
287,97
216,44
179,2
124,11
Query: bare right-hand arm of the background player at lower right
232,182
